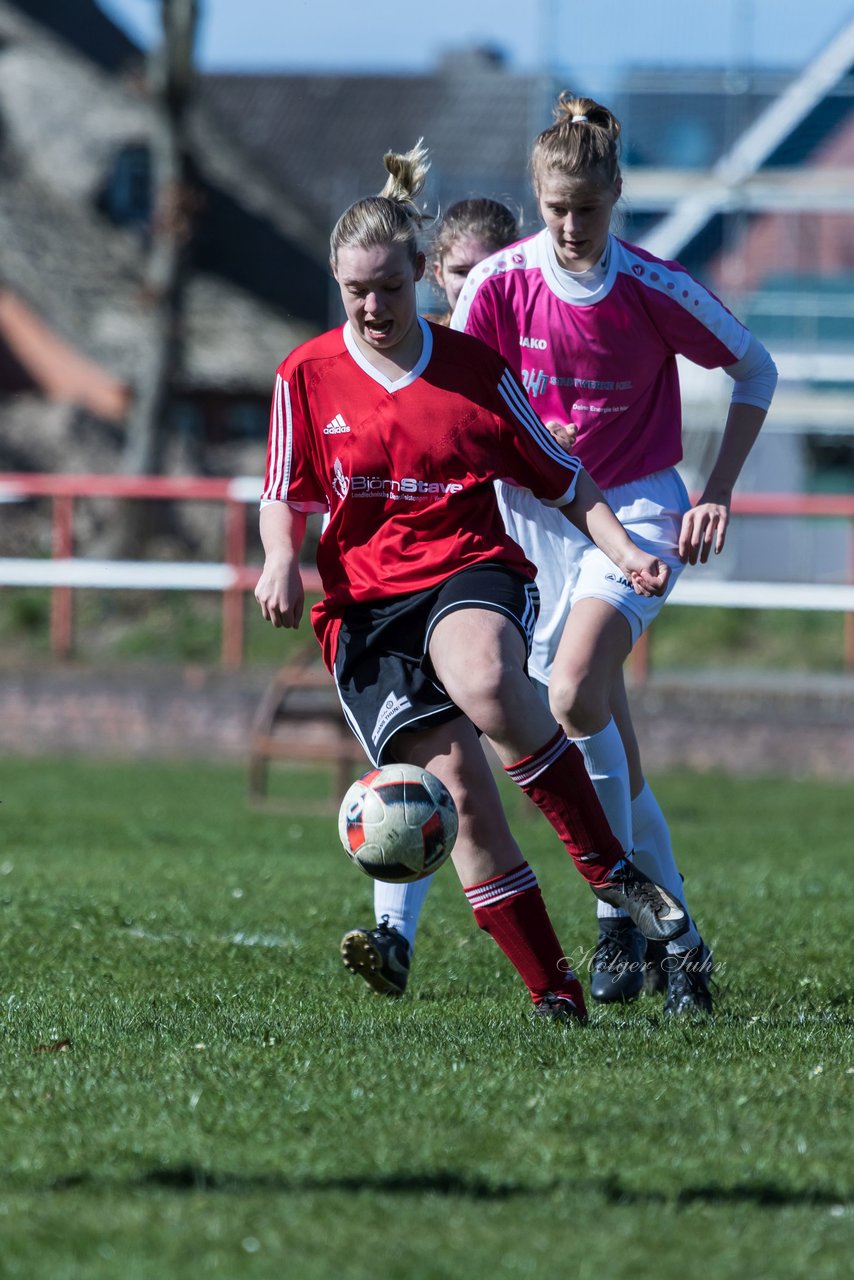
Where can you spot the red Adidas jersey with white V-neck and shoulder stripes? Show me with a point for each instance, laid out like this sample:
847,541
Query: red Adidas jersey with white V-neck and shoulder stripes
405,469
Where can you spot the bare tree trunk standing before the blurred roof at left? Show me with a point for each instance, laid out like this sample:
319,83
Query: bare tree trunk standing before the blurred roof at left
171,76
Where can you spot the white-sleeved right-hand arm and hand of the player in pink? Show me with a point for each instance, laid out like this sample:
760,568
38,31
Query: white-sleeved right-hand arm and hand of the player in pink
705,525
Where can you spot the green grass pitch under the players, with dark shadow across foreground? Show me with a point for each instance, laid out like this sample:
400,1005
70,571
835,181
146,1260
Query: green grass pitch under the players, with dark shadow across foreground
234,1104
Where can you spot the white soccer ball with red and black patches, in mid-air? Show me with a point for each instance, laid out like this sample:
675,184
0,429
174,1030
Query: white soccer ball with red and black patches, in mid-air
399,824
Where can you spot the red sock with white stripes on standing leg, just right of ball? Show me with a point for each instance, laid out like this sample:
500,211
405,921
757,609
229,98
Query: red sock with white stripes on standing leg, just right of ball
510,908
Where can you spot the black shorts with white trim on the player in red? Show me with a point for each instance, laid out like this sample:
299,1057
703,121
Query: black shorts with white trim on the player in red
383,673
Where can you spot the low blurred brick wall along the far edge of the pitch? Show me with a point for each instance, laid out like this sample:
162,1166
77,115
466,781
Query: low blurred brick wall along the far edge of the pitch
750,726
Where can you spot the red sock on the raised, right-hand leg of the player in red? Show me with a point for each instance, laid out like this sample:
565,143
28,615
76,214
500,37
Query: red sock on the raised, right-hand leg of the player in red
558,783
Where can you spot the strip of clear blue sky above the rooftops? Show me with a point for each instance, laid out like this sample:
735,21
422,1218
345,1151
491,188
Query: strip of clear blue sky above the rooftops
597,39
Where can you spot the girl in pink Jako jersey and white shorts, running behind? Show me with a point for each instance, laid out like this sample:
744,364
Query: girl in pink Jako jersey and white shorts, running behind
593,327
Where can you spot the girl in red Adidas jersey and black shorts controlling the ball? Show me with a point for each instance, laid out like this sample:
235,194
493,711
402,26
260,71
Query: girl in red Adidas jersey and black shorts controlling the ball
398,429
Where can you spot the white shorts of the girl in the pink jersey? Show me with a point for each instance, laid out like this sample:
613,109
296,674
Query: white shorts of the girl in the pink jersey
569,568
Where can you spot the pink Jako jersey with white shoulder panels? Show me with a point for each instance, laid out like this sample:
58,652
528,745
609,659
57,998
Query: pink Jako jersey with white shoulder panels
609,365
